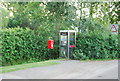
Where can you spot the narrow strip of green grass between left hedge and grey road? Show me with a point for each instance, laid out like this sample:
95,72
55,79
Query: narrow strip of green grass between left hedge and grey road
26,66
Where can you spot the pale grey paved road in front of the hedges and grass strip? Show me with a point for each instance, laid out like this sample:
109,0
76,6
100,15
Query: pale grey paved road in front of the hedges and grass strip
69,69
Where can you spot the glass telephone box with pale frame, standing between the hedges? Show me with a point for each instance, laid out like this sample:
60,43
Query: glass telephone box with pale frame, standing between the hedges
67,43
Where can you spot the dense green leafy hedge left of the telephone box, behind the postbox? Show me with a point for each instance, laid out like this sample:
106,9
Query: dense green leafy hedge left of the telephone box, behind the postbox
24,45
